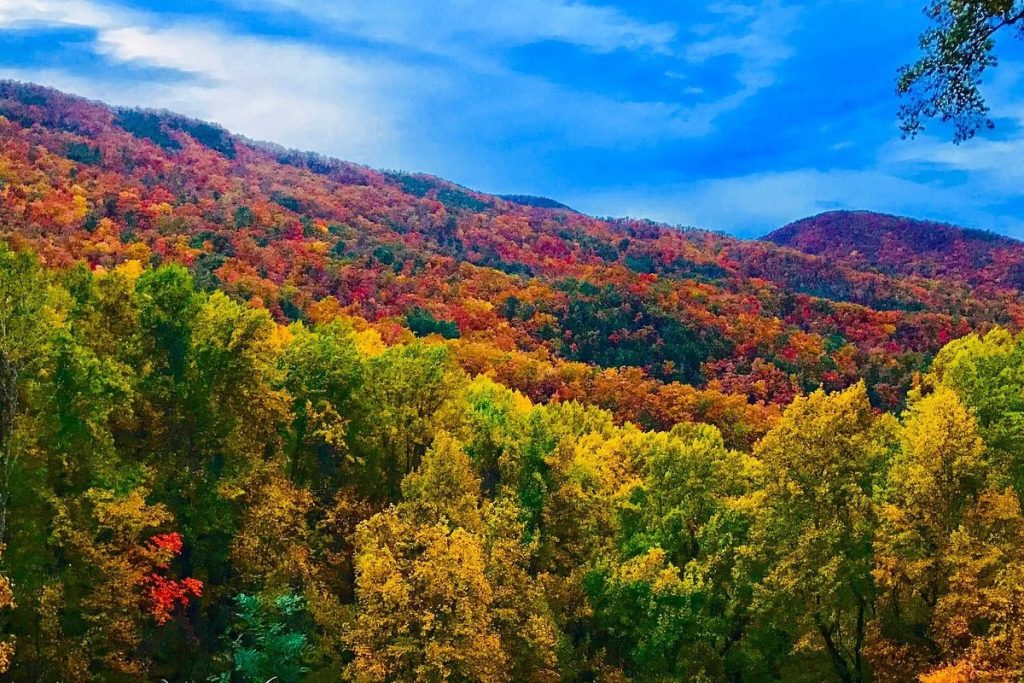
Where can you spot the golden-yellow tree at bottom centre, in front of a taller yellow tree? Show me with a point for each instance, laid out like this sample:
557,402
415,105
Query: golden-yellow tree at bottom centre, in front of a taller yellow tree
424,606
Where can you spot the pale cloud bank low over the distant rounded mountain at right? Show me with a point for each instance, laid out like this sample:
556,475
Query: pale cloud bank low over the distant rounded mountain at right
973,185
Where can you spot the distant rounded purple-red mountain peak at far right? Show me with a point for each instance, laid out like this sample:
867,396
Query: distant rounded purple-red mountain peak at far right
899,246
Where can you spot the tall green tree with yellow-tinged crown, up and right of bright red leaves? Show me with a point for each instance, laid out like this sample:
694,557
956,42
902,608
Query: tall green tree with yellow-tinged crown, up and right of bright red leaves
227,426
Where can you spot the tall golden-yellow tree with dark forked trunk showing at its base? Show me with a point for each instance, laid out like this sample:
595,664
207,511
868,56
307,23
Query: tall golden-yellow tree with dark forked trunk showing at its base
816,528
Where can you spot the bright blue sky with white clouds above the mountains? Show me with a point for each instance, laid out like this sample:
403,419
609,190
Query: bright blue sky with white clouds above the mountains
739,116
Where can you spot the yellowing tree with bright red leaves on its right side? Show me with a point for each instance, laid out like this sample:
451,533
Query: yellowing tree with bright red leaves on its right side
115,589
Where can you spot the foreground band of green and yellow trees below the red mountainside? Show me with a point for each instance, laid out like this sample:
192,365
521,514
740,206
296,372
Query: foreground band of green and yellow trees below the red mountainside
194,492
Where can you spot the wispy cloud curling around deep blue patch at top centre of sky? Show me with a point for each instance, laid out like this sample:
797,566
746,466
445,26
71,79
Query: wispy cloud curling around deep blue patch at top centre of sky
474,33
